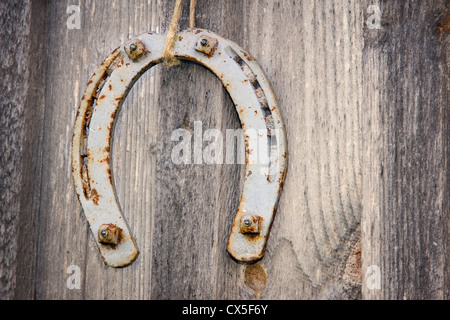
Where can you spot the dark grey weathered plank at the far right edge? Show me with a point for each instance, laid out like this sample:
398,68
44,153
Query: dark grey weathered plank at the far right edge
405,190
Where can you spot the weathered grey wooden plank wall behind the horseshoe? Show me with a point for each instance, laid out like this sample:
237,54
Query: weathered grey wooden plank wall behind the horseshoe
366,112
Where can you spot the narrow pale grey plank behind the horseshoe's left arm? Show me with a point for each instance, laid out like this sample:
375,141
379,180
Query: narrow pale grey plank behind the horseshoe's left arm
133,158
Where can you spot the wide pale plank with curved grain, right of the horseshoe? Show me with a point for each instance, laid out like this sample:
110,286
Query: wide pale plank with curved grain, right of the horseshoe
312,54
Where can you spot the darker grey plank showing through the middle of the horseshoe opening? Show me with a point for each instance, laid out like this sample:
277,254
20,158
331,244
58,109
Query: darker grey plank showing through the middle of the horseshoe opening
194,204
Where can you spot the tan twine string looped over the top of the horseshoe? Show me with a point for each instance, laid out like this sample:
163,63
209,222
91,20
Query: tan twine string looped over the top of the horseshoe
169,57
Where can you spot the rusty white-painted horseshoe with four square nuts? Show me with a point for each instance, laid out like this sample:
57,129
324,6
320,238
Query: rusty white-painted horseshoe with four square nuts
262,125
